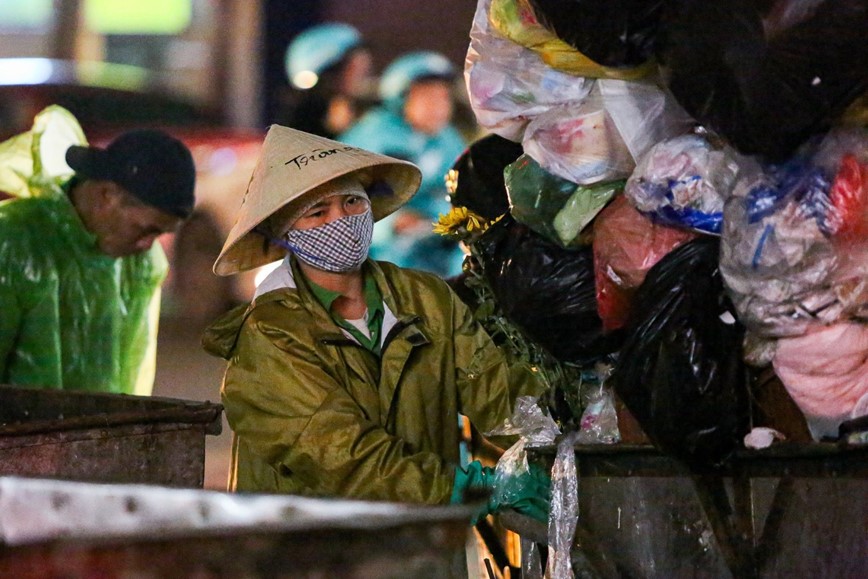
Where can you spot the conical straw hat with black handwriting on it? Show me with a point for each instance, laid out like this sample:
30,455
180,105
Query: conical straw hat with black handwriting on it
293,163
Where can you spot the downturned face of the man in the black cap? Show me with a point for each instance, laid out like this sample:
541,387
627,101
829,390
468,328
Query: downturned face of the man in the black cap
127,226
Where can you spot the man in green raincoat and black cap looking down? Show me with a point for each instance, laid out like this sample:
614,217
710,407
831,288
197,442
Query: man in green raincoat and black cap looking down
80,267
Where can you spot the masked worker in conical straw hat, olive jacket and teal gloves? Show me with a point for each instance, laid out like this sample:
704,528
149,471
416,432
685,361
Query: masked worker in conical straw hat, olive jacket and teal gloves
345,375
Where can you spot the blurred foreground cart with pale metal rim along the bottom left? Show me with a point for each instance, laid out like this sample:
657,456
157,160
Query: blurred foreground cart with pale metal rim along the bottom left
75,530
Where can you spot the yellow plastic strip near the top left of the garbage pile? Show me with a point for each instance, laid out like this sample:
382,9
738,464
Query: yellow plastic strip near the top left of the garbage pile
515,20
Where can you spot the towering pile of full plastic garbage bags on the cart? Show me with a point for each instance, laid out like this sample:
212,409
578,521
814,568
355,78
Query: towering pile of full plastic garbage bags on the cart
686,190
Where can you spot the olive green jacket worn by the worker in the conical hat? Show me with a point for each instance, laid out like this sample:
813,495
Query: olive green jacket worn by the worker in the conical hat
315,413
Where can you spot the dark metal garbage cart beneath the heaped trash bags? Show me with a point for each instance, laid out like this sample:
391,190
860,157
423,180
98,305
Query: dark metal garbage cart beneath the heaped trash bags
790,510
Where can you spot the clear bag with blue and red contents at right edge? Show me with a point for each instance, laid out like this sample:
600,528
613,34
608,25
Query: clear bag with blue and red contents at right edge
794,252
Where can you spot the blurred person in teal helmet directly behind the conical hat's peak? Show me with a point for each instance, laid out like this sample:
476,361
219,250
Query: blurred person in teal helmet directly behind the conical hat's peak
330,67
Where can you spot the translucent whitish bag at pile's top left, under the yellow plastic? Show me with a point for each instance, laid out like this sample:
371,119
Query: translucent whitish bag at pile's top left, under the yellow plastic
508,85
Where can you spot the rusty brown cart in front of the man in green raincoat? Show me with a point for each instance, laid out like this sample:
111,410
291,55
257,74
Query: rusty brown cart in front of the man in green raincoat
104,437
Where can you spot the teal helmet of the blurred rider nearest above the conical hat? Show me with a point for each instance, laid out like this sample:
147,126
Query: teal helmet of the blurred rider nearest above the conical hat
318,48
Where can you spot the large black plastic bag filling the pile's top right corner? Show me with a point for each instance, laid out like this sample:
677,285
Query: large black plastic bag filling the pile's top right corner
766,75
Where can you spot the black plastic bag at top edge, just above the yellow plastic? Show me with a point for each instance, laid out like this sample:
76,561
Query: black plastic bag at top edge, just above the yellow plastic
616,33
